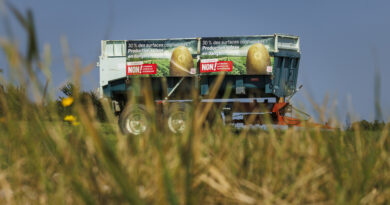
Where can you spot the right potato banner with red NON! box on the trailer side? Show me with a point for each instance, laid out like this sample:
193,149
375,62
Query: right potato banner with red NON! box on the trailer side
237,55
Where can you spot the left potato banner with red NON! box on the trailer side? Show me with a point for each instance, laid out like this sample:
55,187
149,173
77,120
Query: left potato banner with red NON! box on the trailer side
158,58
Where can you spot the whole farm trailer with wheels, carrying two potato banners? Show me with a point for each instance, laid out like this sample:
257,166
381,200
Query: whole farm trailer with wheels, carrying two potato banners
258,74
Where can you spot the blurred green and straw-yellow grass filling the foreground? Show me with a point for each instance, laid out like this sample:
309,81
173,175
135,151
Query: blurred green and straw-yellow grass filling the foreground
44,160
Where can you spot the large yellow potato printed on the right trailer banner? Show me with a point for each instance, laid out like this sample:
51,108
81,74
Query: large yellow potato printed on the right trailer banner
257,59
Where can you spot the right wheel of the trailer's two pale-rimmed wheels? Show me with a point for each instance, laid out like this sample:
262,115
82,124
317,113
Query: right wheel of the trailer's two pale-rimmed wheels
177,119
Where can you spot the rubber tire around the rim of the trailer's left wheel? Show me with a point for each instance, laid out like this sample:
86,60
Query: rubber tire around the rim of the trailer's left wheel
128,112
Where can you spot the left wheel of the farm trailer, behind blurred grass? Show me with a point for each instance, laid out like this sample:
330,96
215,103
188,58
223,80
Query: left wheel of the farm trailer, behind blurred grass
134,120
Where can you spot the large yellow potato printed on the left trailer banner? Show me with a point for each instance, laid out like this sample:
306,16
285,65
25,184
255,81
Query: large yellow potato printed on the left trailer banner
181,62
